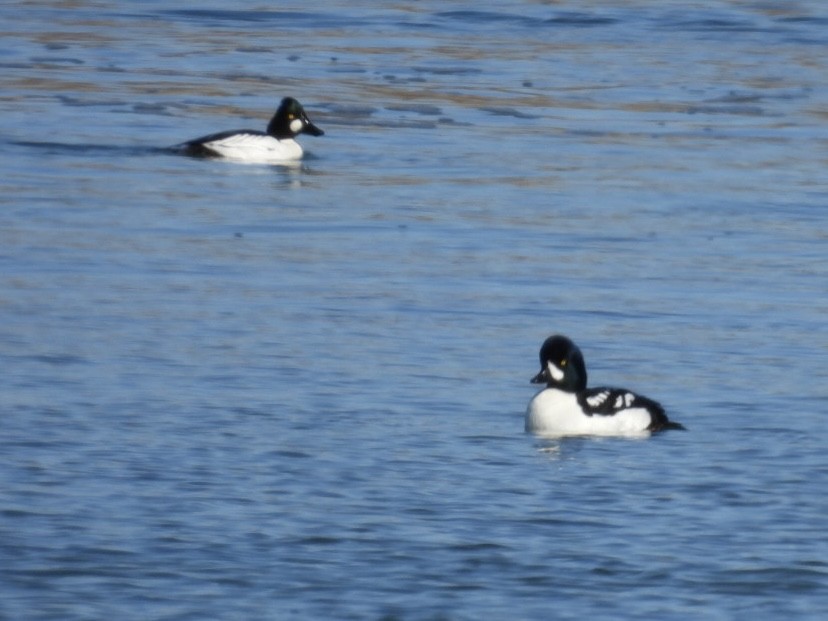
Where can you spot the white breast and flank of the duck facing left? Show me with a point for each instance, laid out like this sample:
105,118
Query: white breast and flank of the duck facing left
554,412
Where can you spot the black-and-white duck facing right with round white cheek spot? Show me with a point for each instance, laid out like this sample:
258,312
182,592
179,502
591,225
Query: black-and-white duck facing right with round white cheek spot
274,146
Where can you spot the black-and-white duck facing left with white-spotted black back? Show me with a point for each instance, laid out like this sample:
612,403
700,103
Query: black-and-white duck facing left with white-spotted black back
566,407
